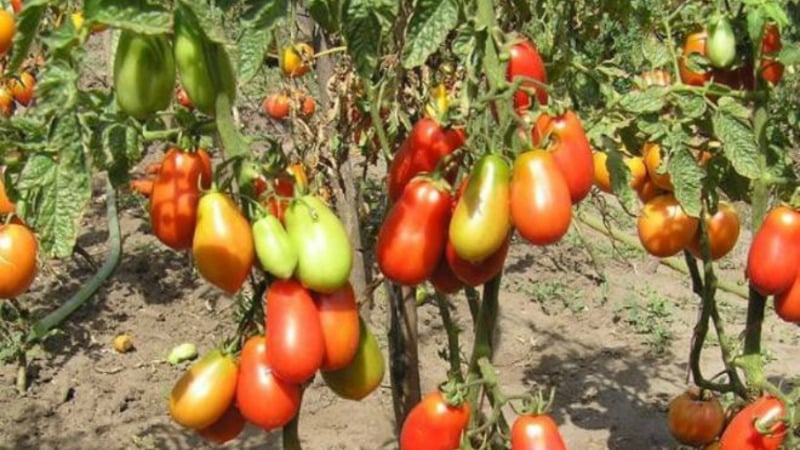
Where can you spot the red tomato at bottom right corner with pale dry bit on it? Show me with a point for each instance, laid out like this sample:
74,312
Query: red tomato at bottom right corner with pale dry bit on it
742,433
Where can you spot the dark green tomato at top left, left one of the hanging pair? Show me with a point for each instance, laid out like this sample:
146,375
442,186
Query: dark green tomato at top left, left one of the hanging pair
144,74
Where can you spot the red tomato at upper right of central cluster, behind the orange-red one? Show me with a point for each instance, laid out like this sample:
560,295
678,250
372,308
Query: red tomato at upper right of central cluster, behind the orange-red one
571,151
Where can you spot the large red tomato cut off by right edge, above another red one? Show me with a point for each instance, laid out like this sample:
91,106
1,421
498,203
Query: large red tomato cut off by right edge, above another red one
774,257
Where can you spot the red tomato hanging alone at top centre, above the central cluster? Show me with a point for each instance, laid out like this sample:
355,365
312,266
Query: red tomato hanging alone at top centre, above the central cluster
525,62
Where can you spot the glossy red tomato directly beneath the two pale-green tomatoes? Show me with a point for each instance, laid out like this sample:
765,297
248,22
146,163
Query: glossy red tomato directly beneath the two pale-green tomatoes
294,332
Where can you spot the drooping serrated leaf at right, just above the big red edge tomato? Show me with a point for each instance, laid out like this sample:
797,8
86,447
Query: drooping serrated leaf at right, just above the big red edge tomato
738,143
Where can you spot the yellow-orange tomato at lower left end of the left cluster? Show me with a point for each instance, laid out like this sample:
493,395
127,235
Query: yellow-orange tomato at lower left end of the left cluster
205,392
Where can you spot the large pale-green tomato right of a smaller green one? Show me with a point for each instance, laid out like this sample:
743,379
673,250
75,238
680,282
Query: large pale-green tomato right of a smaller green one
324,255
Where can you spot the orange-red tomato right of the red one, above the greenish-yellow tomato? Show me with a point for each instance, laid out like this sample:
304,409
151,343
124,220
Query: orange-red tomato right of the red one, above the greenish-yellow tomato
338,316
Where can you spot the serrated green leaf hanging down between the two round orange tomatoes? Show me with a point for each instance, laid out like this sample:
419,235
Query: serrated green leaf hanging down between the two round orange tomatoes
687,178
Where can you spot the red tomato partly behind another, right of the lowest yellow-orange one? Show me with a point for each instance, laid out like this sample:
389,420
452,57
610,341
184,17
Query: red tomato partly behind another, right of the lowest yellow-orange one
264,399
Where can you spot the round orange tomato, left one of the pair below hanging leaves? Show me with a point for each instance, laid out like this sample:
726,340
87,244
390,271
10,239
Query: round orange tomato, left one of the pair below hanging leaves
664,228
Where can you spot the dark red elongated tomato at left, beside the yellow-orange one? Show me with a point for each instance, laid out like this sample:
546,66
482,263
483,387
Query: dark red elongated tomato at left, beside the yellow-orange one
175,195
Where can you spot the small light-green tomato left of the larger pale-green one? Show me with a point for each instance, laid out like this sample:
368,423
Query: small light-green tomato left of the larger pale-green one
273,247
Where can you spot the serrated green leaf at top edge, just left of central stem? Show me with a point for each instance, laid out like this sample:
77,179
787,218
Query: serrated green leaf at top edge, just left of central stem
428,28
